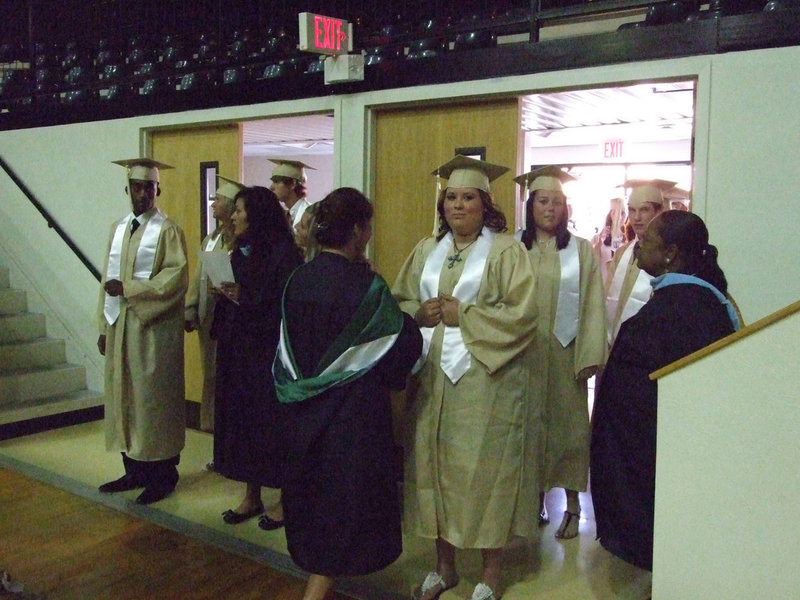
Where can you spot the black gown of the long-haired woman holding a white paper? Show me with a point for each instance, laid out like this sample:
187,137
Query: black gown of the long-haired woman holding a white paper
247,337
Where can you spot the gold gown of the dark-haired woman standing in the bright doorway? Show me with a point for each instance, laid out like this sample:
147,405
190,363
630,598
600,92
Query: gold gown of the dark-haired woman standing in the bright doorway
565,413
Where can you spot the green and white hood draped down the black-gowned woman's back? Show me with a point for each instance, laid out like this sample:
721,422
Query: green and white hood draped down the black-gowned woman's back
370,334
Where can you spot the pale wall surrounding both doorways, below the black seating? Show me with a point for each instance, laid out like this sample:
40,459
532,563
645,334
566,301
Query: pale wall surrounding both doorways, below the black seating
747,128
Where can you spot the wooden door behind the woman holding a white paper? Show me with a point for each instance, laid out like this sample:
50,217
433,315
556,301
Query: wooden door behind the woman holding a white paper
182,199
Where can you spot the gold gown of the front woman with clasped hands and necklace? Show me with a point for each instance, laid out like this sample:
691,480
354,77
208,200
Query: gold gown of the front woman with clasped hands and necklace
471,475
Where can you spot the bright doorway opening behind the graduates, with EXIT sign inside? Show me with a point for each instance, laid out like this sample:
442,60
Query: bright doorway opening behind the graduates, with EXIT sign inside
605,136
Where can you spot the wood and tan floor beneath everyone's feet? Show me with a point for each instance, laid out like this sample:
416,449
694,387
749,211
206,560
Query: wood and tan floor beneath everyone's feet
59,535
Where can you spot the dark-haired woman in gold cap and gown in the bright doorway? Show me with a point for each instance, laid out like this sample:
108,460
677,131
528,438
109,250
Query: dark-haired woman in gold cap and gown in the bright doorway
570,344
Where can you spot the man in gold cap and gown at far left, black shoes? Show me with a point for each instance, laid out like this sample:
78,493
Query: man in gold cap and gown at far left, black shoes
141,318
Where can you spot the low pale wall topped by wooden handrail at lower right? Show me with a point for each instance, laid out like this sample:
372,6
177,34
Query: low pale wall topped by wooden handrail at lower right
728,476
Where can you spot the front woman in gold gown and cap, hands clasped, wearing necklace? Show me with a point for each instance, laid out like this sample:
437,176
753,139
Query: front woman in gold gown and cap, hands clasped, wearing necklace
470,467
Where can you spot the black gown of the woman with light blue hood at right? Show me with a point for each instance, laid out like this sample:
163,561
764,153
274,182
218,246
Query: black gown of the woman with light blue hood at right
675,322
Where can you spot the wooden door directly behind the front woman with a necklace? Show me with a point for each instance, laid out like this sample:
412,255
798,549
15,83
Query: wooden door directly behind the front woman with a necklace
410,143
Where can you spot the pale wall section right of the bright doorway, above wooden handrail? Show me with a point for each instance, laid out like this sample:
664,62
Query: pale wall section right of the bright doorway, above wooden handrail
753,176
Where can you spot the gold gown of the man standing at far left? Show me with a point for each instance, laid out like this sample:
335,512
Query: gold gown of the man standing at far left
145,413
